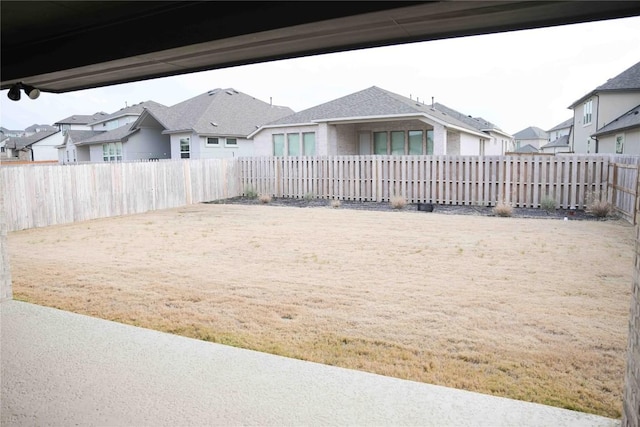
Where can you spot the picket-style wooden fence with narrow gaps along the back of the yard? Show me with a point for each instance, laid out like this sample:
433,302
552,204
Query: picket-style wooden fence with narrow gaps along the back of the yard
452,180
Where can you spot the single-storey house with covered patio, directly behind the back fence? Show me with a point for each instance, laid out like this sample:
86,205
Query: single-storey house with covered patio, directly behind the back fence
374,121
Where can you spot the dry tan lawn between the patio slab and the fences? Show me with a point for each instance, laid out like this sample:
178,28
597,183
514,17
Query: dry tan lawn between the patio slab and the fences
530,309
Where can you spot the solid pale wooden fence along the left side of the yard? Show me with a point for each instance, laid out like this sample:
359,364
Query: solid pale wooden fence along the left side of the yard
38,196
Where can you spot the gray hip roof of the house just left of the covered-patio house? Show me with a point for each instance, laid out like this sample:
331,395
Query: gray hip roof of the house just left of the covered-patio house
219,112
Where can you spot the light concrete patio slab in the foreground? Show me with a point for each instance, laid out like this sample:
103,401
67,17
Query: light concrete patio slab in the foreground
60,368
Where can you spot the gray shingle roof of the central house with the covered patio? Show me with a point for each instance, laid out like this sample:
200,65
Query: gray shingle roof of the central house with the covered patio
373,101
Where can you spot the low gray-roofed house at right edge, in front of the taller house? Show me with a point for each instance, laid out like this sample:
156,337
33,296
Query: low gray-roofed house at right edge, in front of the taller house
622,135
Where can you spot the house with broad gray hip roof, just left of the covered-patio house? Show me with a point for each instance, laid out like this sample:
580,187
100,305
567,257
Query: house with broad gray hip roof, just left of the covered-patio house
215,124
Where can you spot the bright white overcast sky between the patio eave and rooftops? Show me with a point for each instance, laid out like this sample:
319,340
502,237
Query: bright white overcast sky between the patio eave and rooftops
515,80
